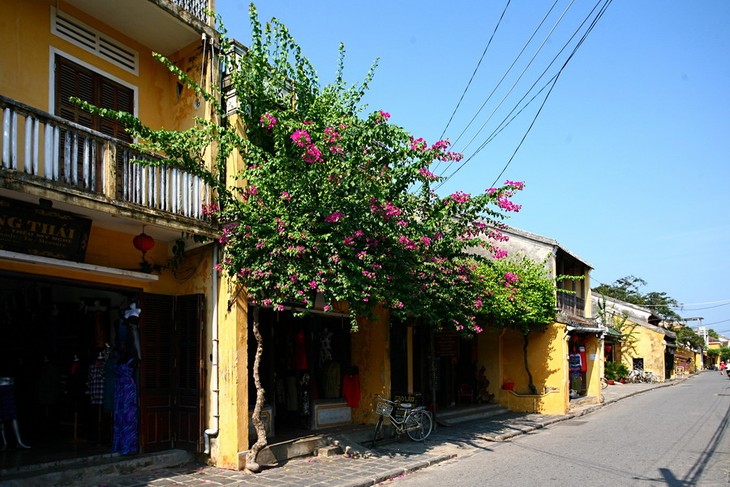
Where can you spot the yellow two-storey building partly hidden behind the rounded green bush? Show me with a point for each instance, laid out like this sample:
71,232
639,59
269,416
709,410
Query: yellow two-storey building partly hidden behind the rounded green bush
565,359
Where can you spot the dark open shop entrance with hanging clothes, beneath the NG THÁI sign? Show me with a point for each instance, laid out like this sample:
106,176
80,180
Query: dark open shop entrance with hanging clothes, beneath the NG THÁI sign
63,342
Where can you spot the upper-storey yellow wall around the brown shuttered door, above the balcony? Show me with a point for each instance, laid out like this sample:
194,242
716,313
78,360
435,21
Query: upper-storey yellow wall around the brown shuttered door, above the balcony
25,76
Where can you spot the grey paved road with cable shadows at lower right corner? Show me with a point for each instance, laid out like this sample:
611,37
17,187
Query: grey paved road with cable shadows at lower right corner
674,436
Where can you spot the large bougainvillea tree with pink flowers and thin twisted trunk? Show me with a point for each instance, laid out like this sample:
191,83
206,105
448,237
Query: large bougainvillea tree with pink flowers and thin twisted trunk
334,203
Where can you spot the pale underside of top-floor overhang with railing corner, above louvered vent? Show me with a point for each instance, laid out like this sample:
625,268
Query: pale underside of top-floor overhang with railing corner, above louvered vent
164,26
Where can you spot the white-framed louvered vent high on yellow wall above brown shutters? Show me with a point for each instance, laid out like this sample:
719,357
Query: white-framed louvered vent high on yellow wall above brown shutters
88,38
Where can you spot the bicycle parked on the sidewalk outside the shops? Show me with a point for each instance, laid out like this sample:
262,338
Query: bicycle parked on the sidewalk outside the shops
416,421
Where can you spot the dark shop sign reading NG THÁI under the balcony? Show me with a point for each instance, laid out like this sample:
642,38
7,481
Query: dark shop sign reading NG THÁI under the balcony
42,230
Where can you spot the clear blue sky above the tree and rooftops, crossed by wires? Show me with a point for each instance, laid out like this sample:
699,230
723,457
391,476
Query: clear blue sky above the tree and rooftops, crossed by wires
627,164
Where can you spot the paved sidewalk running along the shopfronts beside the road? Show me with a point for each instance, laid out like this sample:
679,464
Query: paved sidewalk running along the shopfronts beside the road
363,466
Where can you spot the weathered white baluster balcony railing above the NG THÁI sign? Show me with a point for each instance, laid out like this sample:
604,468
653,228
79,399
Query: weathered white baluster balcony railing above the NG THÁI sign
50,148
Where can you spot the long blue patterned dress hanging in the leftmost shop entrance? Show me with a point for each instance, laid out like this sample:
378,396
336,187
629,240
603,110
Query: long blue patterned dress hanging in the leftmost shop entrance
126,434
